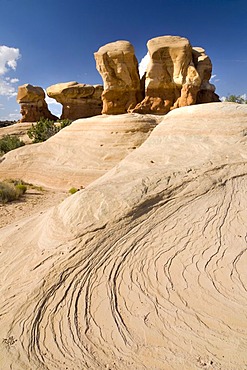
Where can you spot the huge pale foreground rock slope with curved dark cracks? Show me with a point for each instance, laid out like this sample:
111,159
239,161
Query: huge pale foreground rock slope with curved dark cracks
143,269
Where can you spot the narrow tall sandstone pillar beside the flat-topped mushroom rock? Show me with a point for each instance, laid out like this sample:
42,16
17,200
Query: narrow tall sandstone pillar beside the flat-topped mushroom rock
118,66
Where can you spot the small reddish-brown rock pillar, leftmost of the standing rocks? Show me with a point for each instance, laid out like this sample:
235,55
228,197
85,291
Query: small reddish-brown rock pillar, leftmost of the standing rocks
33,104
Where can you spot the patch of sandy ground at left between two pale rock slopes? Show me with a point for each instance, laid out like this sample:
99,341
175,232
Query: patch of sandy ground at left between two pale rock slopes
34,201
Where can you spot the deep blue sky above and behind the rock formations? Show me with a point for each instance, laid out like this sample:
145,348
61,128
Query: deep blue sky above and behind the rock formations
52,41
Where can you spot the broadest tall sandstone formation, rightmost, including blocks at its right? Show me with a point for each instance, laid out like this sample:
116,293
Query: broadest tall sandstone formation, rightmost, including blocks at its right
175,76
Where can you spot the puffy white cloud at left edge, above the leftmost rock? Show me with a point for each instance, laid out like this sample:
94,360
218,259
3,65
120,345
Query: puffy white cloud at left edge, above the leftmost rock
8,60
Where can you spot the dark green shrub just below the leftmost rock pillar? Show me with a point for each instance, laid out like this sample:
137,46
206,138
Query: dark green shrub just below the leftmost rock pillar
42,130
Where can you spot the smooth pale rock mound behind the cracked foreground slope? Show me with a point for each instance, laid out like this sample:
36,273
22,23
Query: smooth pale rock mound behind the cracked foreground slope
79,153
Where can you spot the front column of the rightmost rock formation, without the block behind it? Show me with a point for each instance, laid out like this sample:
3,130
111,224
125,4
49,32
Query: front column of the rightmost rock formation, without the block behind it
167,72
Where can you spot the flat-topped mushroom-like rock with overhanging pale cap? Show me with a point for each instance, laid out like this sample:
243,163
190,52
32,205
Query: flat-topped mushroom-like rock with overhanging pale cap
78,100
